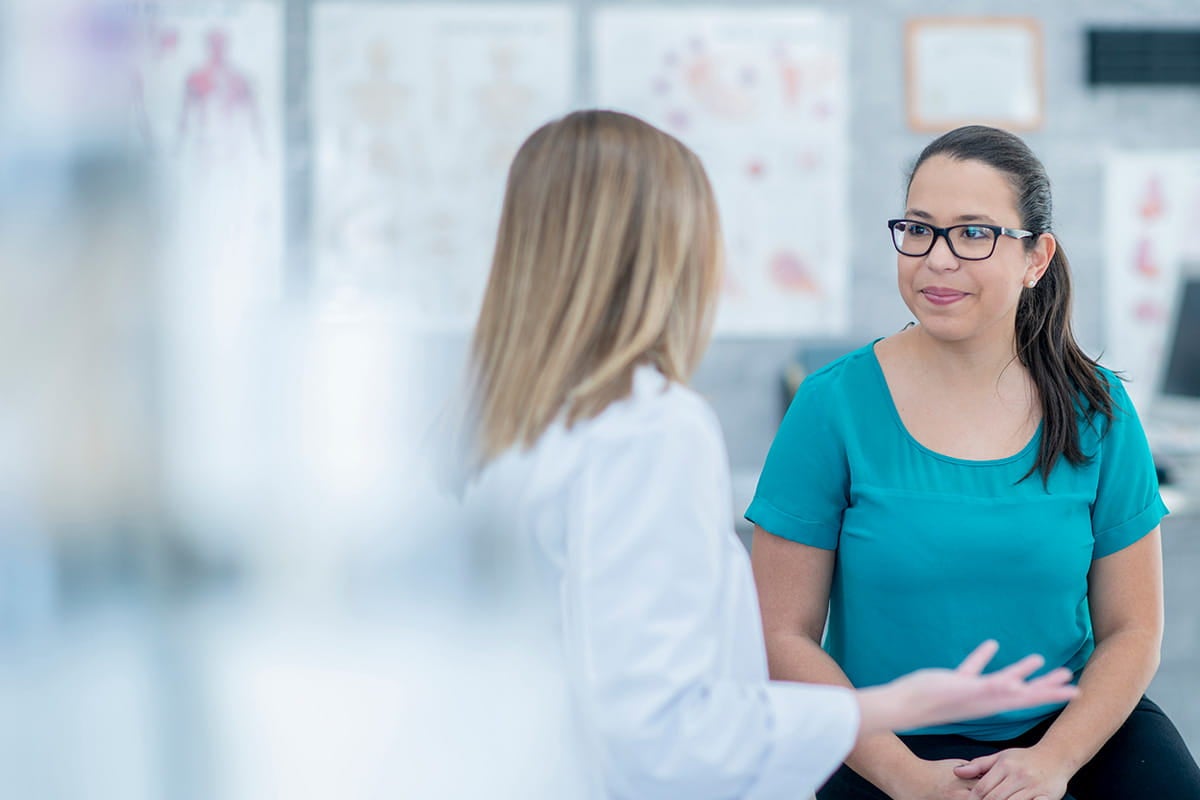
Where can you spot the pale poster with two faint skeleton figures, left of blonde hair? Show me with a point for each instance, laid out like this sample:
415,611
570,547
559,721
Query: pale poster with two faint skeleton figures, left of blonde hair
418,111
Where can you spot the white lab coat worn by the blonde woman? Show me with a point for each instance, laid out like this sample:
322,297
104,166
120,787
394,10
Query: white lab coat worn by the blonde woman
632,520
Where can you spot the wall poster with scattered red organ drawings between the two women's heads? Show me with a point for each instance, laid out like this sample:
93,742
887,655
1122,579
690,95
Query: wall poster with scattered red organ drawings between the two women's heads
761,97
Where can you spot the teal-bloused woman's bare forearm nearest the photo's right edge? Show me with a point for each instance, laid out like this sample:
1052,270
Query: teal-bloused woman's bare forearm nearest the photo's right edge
1111,687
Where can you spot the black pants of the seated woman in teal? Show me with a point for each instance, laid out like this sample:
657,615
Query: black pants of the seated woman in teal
1145,759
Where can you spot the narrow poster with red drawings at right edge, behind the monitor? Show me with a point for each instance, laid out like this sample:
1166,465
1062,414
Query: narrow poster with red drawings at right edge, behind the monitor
1153,215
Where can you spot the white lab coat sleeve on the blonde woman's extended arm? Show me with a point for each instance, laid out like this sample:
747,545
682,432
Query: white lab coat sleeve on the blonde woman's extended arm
647,555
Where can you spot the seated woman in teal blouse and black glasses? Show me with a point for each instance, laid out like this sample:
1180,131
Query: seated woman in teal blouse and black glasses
975,472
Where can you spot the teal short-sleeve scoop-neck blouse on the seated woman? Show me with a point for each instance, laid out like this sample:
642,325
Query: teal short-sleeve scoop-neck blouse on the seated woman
938,554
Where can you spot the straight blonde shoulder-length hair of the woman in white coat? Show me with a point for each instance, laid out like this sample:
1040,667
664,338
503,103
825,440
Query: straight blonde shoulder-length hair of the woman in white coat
609,256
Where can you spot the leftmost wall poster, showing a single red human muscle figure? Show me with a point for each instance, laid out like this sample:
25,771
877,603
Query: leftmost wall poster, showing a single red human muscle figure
208,107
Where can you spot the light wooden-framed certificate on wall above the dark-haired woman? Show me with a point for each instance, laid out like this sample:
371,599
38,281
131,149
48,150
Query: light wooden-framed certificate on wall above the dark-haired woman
974,70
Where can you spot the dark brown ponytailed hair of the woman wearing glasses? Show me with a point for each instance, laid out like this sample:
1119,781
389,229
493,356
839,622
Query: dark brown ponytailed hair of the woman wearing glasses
1069,381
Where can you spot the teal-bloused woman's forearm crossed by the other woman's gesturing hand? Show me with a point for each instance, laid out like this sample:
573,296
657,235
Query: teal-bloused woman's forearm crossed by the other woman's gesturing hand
878,756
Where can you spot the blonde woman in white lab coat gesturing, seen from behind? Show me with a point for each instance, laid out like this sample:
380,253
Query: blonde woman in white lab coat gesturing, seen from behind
598,309
